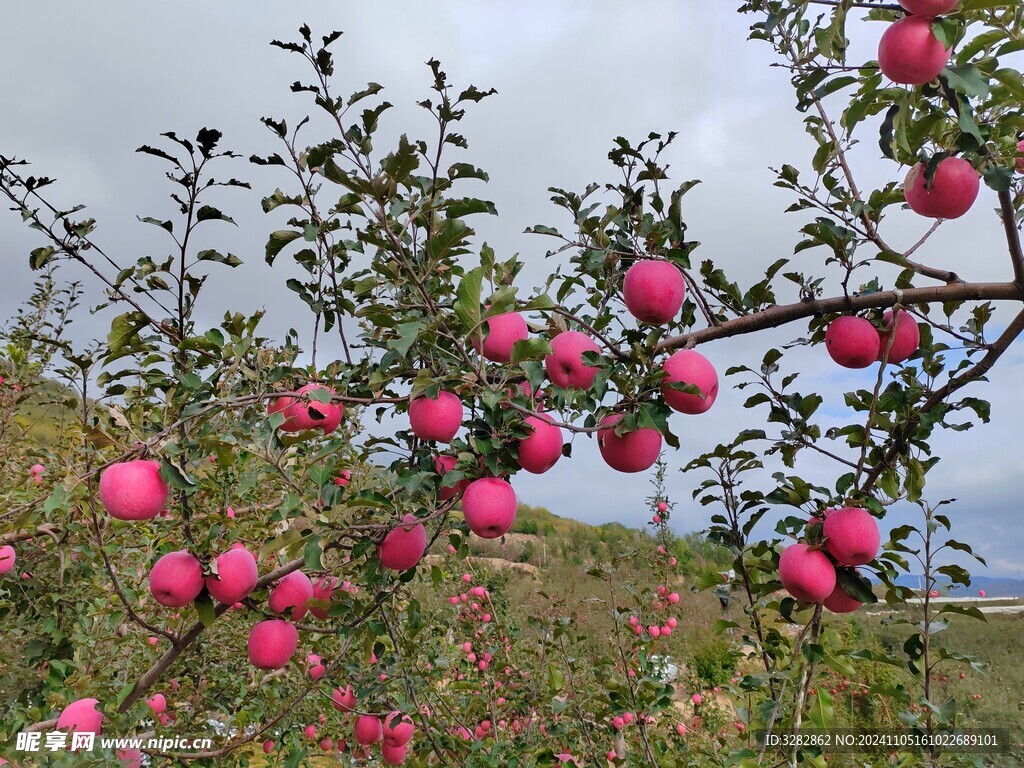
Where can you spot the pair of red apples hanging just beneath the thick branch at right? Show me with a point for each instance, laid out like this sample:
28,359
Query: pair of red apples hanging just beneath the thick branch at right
855,343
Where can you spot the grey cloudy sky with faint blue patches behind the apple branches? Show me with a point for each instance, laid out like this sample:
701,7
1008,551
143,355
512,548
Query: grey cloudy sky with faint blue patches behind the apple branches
87,83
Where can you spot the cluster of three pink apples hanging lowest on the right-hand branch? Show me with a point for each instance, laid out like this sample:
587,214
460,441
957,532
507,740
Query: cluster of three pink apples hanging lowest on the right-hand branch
808,573
